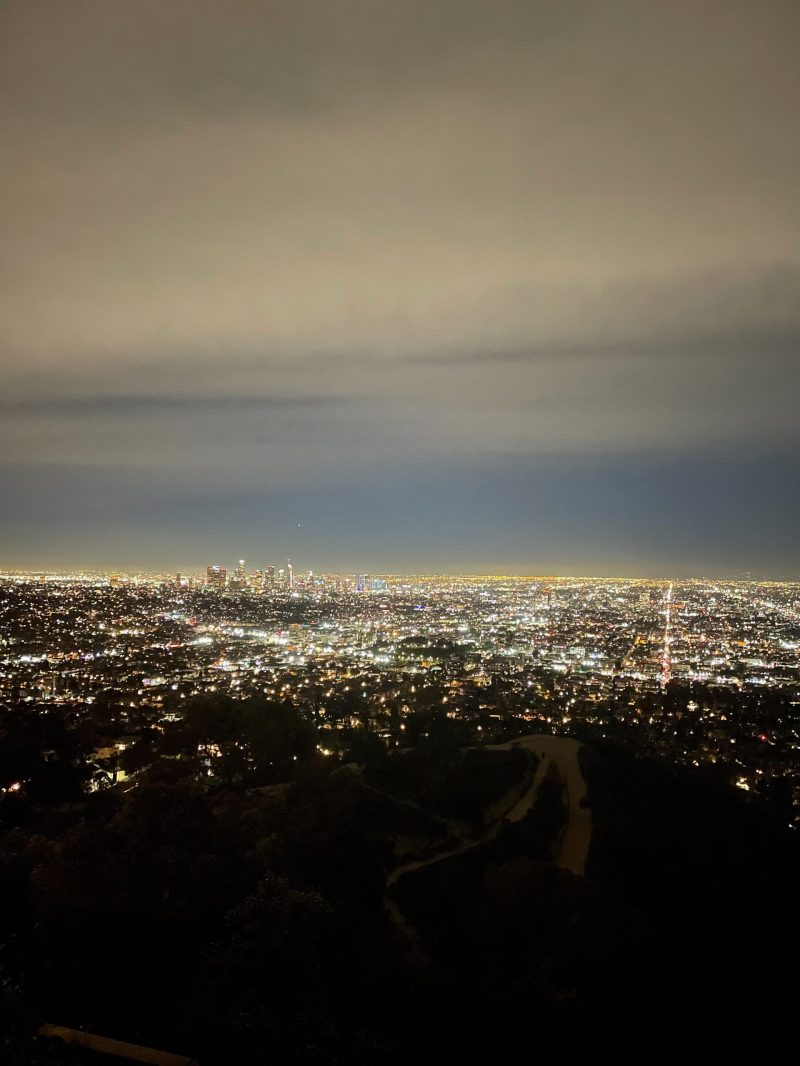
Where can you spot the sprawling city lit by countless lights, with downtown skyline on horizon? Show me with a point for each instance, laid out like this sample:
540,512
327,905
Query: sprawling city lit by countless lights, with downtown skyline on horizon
699,672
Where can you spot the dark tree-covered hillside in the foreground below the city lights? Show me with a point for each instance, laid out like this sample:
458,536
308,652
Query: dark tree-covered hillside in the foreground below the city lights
245,916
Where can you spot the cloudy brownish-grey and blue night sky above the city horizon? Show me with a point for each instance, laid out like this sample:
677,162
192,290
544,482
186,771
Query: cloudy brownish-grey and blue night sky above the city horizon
435,285
